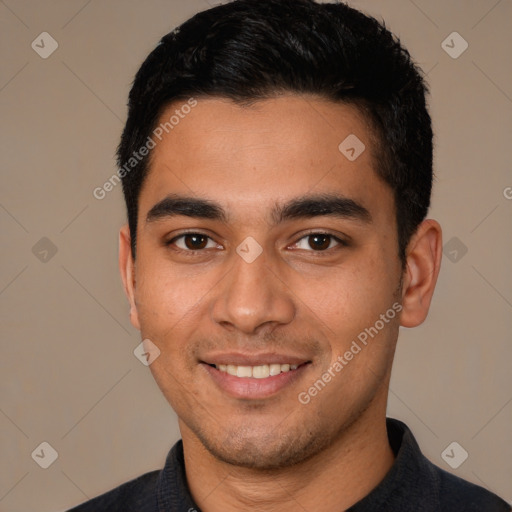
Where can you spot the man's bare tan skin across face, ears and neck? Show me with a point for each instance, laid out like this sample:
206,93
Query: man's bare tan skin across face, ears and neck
275,453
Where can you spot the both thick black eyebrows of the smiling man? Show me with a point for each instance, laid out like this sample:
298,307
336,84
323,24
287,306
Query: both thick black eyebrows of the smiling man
332,205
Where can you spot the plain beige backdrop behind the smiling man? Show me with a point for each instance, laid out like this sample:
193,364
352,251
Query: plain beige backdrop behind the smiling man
68,374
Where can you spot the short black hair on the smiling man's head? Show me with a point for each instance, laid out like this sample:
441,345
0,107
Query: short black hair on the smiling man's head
249,50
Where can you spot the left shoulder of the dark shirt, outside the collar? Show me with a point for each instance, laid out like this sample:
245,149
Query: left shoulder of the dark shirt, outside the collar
136,495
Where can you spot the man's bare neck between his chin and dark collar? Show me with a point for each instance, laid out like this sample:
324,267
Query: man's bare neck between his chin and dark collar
334,479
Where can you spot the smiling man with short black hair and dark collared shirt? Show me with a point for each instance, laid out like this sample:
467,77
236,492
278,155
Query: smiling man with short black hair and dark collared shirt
277,171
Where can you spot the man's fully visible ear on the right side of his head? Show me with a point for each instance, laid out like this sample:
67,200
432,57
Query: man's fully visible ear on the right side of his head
424,253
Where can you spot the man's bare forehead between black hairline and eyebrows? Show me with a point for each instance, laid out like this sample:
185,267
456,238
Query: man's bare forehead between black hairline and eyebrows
254,156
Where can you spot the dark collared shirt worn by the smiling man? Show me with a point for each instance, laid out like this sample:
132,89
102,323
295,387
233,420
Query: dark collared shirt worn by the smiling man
413,484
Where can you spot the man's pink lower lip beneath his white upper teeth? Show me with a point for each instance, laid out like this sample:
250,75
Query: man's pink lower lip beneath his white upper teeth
251,388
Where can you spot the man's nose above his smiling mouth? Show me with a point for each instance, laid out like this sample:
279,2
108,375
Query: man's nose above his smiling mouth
252,295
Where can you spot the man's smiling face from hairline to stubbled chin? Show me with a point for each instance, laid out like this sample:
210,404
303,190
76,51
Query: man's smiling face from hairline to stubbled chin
264,255
